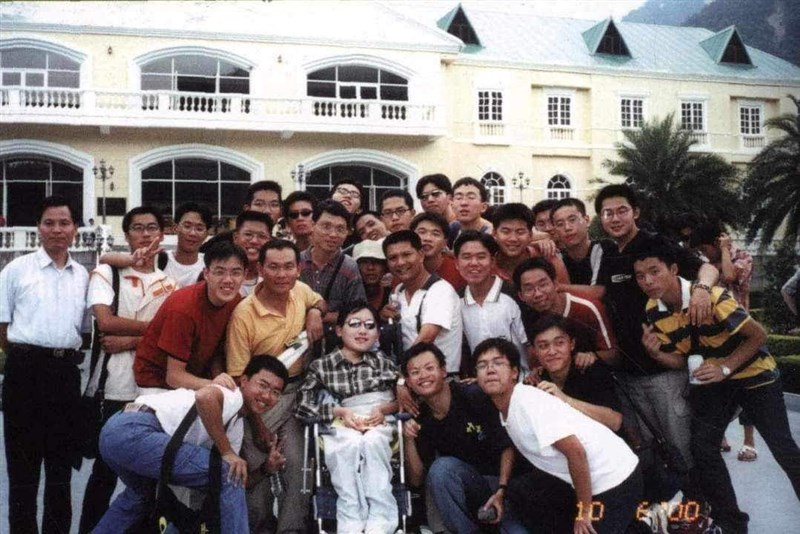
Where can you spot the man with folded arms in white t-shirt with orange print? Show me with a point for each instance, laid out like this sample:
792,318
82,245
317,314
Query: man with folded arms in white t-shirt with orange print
141,291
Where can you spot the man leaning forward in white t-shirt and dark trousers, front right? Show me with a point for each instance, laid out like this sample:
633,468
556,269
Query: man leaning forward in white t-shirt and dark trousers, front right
587,479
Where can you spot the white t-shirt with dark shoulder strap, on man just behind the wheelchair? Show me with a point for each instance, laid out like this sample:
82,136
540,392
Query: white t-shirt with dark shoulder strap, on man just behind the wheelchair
441,307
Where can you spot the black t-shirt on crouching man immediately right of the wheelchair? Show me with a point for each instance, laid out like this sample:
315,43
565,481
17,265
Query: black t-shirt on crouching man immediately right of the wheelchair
471,431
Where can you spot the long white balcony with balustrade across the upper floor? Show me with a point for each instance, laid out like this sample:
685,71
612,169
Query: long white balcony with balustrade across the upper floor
174,109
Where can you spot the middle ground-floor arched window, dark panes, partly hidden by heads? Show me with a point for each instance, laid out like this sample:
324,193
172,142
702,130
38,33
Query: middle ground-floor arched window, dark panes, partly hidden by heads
215,183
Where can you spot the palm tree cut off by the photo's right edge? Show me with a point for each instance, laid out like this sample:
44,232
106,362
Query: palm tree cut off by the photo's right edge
772,185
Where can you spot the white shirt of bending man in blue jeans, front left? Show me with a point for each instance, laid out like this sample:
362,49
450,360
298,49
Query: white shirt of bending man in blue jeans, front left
171,407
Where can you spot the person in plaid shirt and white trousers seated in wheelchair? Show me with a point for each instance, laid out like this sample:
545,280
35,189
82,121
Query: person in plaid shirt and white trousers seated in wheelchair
352,388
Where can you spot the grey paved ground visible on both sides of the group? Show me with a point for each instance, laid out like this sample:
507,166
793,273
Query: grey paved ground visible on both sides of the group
761,486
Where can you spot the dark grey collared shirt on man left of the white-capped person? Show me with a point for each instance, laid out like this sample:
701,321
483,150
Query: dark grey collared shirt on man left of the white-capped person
345,288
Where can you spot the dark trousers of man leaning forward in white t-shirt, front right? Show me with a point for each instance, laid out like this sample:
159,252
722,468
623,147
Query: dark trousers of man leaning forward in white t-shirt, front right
547,505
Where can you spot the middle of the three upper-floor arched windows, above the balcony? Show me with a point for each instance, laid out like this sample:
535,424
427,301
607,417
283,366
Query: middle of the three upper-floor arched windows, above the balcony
195,73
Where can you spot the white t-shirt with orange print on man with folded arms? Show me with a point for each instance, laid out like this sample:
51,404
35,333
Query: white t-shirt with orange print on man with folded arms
140,297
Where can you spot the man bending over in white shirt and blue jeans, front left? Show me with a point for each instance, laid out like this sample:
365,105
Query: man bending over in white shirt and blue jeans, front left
133,443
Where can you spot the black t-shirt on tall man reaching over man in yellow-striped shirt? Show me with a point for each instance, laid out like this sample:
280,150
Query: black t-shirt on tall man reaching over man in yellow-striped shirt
624,300
